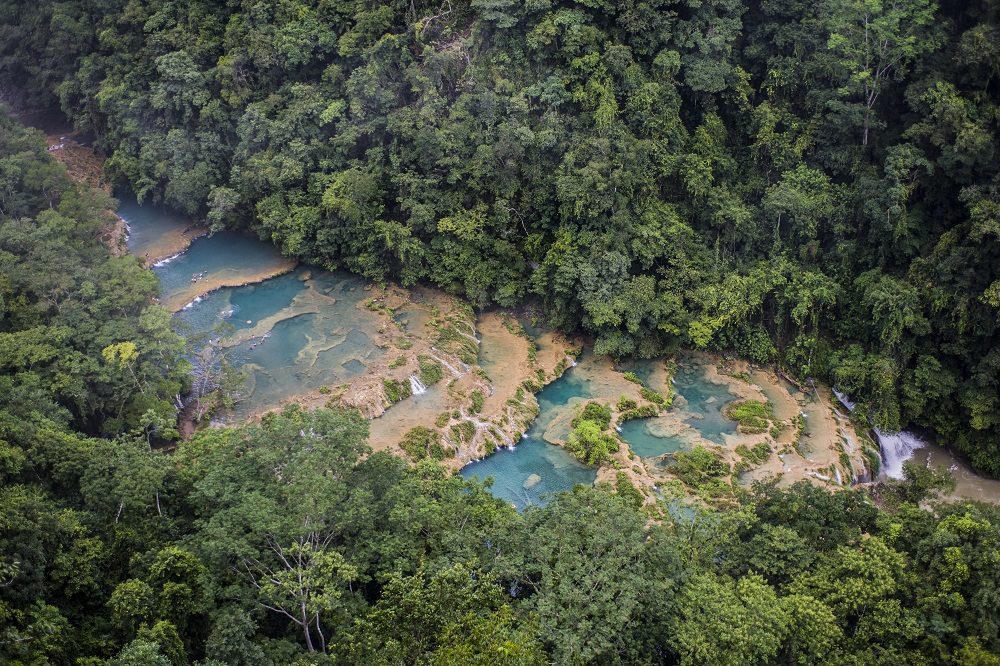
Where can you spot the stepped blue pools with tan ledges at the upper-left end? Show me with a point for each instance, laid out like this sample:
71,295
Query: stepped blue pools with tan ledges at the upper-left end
292,333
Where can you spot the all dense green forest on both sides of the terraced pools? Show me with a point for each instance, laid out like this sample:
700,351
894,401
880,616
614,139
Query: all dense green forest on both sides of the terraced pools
813,183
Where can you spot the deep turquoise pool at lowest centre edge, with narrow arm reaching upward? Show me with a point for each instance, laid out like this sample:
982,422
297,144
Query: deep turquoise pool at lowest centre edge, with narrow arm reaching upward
535,468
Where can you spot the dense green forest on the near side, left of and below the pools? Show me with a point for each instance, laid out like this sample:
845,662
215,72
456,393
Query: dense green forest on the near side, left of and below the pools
289,542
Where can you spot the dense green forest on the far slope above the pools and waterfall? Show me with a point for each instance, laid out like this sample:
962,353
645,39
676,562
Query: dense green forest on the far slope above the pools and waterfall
814,182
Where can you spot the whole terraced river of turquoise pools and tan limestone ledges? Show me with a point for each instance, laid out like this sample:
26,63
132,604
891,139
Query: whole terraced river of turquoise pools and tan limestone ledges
301,333
